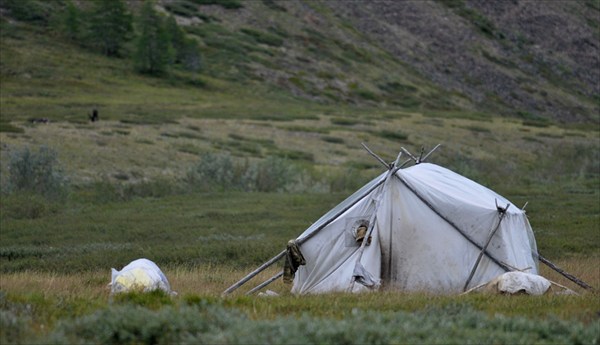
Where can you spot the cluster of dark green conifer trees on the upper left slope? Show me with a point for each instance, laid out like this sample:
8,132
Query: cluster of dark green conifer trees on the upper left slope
108,27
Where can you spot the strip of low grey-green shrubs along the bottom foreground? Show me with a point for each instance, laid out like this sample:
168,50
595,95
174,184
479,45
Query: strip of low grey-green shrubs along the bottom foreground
206,323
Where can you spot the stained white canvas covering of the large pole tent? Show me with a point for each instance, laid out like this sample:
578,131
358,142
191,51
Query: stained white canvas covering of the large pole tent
423,222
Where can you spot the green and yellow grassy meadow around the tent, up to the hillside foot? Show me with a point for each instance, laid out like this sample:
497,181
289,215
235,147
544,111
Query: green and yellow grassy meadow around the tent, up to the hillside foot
127,195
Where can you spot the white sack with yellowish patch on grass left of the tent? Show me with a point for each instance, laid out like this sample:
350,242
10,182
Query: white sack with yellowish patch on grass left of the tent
139,275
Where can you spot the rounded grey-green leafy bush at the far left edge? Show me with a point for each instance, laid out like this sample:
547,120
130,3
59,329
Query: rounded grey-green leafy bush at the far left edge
36,173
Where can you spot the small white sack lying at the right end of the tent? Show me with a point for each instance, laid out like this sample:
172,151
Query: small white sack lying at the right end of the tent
520,282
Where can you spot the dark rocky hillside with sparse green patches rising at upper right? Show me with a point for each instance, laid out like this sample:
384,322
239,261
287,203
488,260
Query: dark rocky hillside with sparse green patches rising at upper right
526,58
